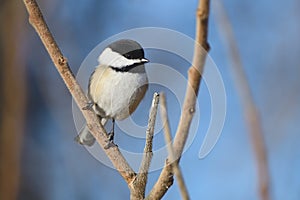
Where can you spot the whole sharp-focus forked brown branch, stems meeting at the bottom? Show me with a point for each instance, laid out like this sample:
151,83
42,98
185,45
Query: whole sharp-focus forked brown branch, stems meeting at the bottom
136,182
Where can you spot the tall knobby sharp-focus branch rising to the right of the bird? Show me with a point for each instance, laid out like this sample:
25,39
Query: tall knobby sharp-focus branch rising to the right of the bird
165,179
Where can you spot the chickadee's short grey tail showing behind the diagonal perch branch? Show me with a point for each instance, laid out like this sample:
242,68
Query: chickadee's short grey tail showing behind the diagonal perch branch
85,137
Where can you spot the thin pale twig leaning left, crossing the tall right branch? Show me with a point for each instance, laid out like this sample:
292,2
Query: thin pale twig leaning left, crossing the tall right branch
172,159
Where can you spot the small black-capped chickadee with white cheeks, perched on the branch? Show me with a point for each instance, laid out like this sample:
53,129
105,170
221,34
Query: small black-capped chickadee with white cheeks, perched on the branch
117,85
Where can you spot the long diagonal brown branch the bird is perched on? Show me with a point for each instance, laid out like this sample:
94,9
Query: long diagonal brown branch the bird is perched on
37,21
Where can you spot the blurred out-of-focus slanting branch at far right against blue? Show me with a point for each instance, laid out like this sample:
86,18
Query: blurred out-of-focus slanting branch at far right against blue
250,111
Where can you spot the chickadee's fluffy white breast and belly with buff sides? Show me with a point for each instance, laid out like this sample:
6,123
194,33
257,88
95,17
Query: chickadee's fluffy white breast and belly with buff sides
117,94
